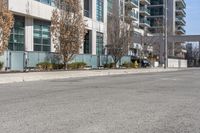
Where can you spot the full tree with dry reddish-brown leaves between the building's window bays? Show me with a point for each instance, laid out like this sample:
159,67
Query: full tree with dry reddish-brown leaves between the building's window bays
68,28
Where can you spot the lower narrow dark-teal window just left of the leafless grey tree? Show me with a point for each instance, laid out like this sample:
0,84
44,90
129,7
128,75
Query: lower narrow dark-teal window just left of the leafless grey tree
99,43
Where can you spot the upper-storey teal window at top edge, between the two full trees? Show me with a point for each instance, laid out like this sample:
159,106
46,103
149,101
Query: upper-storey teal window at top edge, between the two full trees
99,10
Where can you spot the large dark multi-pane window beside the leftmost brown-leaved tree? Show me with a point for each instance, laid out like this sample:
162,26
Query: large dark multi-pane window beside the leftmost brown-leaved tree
17,36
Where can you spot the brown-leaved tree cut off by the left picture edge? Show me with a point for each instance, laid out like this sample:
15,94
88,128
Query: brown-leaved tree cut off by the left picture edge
6,24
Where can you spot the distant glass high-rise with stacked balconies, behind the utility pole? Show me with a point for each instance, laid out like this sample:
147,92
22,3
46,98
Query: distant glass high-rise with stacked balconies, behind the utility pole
175,24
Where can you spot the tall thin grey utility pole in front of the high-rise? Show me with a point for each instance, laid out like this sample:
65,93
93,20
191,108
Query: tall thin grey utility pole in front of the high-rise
166,37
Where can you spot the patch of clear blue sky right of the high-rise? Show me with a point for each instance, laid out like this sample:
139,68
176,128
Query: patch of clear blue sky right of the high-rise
193,17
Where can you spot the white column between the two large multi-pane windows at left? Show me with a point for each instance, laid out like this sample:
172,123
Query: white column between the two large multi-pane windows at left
29,34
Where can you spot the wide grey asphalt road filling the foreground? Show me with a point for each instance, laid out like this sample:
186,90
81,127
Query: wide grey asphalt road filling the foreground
138,103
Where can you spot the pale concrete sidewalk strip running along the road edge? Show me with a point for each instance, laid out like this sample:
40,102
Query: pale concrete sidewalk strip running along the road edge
36,76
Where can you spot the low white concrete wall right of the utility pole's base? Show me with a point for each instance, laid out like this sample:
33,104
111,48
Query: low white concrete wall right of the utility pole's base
177,63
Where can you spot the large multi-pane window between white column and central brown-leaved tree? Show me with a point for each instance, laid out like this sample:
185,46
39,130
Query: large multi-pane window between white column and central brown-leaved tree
42,39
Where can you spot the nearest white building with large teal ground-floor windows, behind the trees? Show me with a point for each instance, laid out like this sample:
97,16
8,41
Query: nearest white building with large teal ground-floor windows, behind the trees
31,30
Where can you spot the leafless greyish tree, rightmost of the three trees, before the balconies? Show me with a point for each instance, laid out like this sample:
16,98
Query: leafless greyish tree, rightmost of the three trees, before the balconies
119,33
